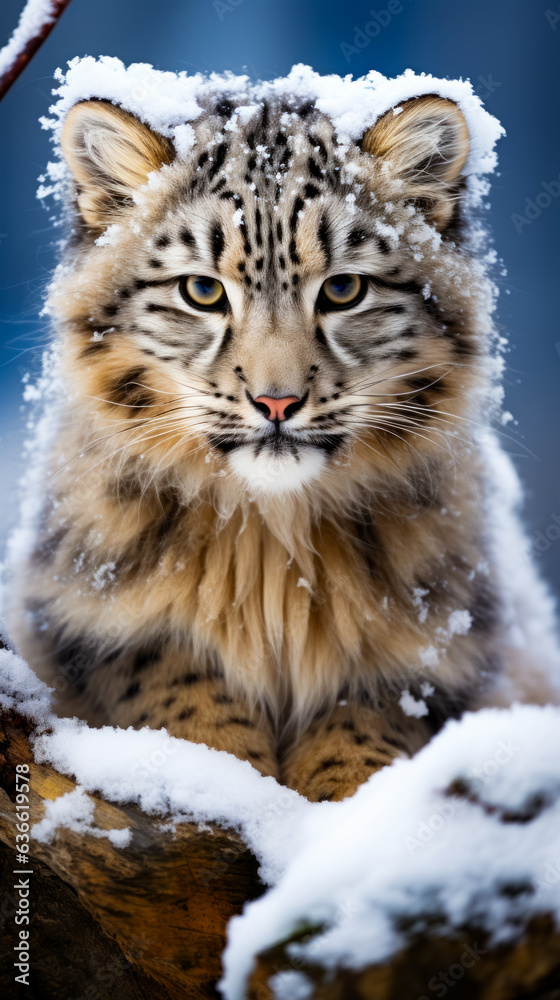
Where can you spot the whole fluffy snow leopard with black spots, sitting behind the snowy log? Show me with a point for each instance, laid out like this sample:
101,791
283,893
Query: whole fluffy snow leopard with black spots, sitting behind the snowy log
264,512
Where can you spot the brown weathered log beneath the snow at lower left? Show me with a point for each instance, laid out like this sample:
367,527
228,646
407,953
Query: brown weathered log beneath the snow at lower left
165,899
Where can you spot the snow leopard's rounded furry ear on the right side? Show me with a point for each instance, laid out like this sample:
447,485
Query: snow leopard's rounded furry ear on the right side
426,143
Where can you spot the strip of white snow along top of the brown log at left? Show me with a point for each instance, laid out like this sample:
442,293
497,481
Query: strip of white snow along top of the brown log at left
171,777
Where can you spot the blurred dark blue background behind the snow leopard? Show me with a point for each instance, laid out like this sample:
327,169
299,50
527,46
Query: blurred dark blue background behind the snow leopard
510,49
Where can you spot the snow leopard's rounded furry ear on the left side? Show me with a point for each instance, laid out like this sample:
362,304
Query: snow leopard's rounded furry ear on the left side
110,153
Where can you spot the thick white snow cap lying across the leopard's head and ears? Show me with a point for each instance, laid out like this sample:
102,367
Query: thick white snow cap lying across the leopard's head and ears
169,102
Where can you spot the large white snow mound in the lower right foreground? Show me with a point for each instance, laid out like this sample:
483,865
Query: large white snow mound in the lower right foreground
405,846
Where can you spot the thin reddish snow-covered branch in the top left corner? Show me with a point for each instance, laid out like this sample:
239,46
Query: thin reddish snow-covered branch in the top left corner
36,22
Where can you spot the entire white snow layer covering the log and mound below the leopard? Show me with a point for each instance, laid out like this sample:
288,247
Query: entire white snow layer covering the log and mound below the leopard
421,837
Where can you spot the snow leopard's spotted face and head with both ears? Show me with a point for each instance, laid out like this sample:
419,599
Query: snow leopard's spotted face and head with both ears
273,308
